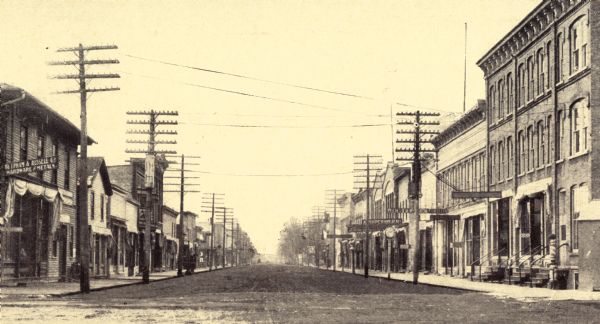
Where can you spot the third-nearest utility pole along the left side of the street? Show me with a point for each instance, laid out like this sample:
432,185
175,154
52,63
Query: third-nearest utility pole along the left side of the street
182,191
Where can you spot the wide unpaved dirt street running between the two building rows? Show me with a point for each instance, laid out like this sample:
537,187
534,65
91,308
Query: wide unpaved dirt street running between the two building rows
289,294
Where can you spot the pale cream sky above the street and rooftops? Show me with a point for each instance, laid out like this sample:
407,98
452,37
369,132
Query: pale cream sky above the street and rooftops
393,51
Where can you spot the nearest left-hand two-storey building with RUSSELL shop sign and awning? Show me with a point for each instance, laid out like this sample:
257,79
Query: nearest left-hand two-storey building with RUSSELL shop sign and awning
38,190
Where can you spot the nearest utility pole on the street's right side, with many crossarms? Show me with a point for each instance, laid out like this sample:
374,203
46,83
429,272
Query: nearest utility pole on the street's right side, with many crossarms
415,187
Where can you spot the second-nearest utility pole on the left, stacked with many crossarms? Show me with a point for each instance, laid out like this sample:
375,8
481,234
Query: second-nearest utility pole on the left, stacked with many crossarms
149,169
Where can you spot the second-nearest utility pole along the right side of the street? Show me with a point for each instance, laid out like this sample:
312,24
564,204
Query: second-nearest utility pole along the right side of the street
364,167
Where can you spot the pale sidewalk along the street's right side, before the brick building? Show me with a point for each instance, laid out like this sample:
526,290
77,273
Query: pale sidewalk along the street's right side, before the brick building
496,289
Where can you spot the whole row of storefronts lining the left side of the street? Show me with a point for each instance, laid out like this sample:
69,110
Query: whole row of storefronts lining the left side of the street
38,205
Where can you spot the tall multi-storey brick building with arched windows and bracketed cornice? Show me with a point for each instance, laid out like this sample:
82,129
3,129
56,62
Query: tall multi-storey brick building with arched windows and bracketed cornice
540,81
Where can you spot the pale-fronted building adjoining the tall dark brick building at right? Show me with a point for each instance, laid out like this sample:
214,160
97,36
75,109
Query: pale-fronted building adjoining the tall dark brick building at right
459,237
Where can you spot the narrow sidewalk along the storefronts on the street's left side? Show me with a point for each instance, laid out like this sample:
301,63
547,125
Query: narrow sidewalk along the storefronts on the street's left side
39,289
